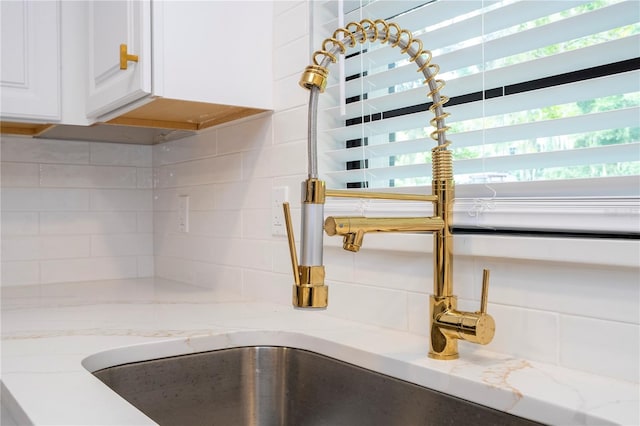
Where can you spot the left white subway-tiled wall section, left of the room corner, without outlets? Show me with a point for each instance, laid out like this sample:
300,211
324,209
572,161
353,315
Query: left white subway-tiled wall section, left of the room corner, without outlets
74,211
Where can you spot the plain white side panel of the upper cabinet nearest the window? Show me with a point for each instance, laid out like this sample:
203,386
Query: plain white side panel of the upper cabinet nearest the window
214,51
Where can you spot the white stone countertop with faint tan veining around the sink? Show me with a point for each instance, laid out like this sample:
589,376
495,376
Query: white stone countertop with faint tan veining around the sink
54,335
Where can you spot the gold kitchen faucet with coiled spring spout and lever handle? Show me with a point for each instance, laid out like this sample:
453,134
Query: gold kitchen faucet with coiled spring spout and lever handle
448,325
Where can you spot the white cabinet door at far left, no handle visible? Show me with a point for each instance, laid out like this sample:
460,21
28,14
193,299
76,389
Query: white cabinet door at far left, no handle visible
30,67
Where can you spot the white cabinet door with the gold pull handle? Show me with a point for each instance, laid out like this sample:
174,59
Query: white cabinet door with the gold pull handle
110,24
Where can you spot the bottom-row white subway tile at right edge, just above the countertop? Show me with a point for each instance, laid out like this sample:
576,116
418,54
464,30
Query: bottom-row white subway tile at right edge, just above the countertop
602,347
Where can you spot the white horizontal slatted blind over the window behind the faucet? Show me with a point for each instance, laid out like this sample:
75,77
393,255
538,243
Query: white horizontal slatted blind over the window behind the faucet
540,91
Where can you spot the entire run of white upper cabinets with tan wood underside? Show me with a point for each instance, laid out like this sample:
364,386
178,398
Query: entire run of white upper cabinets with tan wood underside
190,64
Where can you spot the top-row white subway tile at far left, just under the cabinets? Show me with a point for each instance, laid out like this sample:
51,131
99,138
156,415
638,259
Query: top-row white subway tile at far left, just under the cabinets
44,150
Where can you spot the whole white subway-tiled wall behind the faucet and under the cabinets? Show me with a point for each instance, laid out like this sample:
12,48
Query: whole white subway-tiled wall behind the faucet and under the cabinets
76,211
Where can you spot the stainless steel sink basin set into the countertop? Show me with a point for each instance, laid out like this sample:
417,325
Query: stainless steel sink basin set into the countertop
265,385
